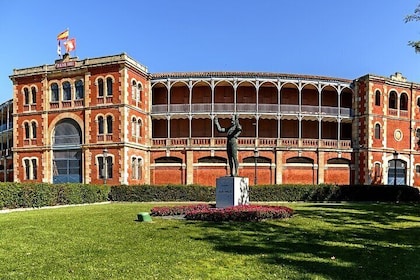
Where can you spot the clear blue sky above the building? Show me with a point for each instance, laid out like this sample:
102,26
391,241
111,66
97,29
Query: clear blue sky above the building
344,39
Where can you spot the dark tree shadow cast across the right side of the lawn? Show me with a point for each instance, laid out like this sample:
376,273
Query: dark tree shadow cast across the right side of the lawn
337,241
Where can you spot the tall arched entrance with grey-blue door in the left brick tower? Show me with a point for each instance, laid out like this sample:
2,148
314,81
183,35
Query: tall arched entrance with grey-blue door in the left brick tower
67,152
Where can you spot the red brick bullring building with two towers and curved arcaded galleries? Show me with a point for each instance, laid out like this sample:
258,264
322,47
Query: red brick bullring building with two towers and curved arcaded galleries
109,120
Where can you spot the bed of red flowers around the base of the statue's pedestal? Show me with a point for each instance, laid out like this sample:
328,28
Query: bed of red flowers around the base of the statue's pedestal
243,213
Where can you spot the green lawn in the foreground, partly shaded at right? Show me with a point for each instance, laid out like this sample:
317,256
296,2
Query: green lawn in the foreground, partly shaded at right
321,241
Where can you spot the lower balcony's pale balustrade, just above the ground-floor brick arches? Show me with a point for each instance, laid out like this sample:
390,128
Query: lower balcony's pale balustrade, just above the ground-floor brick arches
252,142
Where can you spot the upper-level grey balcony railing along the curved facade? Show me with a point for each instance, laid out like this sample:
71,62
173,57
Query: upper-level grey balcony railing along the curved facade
200,108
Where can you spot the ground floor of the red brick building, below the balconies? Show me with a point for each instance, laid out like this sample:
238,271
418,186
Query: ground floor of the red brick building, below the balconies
117,165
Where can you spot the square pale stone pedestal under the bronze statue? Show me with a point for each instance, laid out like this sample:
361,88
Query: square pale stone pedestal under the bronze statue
231,191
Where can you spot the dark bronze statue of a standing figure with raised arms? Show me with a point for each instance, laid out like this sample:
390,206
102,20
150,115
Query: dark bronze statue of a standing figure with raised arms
233,132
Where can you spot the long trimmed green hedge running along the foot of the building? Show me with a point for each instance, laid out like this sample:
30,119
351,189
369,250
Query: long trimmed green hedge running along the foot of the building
14,195
